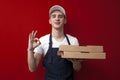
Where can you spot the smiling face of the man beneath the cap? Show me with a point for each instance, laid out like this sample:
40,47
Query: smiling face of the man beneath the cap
57,19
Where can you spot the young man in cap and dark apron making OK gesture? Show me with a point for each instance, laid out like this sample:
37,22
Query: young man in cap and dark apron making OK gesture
56,68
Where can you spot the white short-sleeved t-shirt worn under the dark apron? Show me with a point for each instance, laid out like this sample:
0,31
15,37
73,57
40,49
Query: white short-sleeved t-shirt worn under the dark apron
43,47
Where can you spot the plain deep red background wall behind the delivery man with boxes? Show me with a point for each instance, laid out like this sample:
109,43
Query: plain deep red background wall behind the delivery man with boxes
93,22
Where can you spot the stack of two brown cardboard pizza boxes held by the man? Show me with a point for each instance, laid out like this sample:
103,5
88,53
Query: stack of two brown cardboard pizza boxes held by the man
81,52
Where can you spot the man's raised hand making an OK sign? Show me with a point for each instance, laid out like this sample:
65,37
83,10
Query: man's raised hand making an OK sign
33,42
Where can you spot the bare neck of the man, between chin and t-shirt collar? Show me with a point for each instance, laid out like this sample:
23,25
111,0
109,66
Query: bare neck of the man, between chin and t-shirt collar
58,34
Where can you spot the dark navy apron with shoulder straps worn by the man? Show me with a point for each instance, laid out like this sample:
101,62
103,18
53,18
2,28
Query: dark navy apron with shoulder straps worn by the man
56,67
